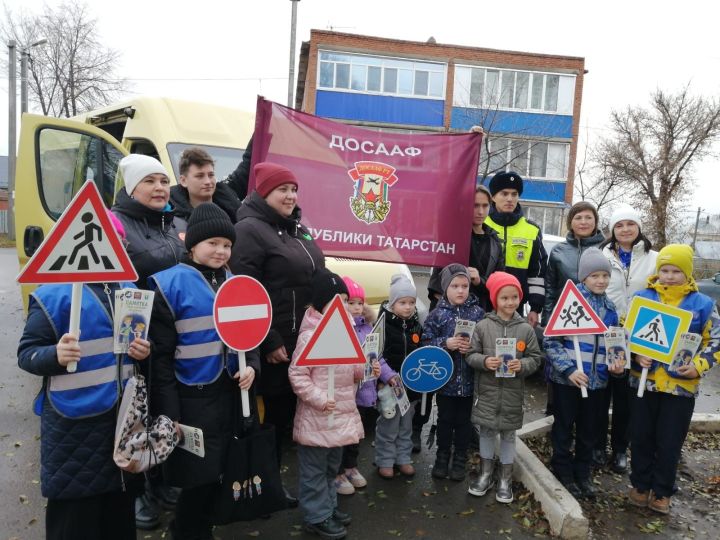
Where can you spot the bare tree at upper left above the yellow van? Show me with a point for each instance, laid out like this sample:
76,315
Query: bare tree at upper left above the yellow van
73,72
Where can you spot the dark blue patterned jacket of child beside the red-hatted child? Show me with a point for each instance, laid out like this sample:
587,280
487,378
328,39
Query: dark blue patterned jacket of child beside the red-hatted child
438,327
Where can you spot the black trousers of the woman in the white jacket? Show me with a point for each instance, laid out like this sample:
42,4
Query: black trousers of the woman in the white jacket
617,392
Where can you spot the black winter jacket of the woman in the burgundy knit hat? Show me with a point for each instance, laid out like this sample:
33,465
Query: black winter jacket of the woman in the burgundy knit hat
281,254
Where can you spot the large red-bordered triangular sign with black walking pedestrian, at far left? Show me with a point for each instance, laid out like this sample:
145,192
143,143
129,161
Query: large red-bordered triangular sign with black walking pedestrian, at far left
82,247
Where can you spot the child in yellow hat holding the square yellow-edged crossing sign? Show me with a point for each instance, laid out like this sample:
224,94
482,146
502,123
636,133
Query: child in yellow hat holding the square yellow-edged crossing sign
661,418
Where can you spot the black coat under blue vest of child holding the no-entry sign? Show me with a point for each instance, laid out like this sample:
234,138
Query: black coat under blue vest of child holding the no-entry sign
212,407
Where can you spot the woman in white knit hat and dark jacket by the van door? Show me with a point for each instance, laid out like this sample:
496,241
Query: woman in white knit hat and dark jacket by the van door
153,245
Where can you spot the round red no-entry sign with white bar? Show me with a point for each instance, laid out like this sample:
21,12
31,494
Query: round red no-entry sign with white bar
242,313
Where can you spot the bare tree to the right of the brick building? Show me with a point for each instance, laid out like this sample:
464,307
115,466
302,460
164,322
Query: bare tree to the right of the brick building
652,150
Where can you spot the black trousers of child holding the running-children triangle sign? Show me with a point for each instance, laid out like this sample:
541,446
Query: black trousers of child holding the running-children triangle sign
571,410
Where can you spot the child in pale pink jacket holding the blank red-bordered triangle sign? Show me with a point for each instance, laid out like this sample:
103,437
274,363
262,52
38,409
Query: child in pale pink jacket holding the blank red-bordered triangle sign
320,445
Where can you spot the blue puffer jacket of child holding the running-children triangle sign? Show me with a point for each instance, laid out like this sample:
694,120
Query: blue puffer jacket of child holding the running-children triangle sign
561,350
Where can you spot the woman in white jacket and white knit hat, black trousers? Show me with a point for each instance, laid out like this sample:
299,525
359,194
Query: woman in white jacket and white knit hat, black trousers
632,261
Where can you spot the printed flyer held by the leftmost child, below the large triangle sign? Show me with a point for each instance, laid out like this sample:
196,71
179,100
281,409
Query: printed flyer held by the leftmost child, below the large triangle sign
133,308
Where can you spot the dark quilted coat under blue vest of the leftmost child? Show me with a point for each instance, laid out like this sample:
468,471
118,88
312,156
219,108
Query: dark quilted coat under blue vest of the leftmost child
75,454
